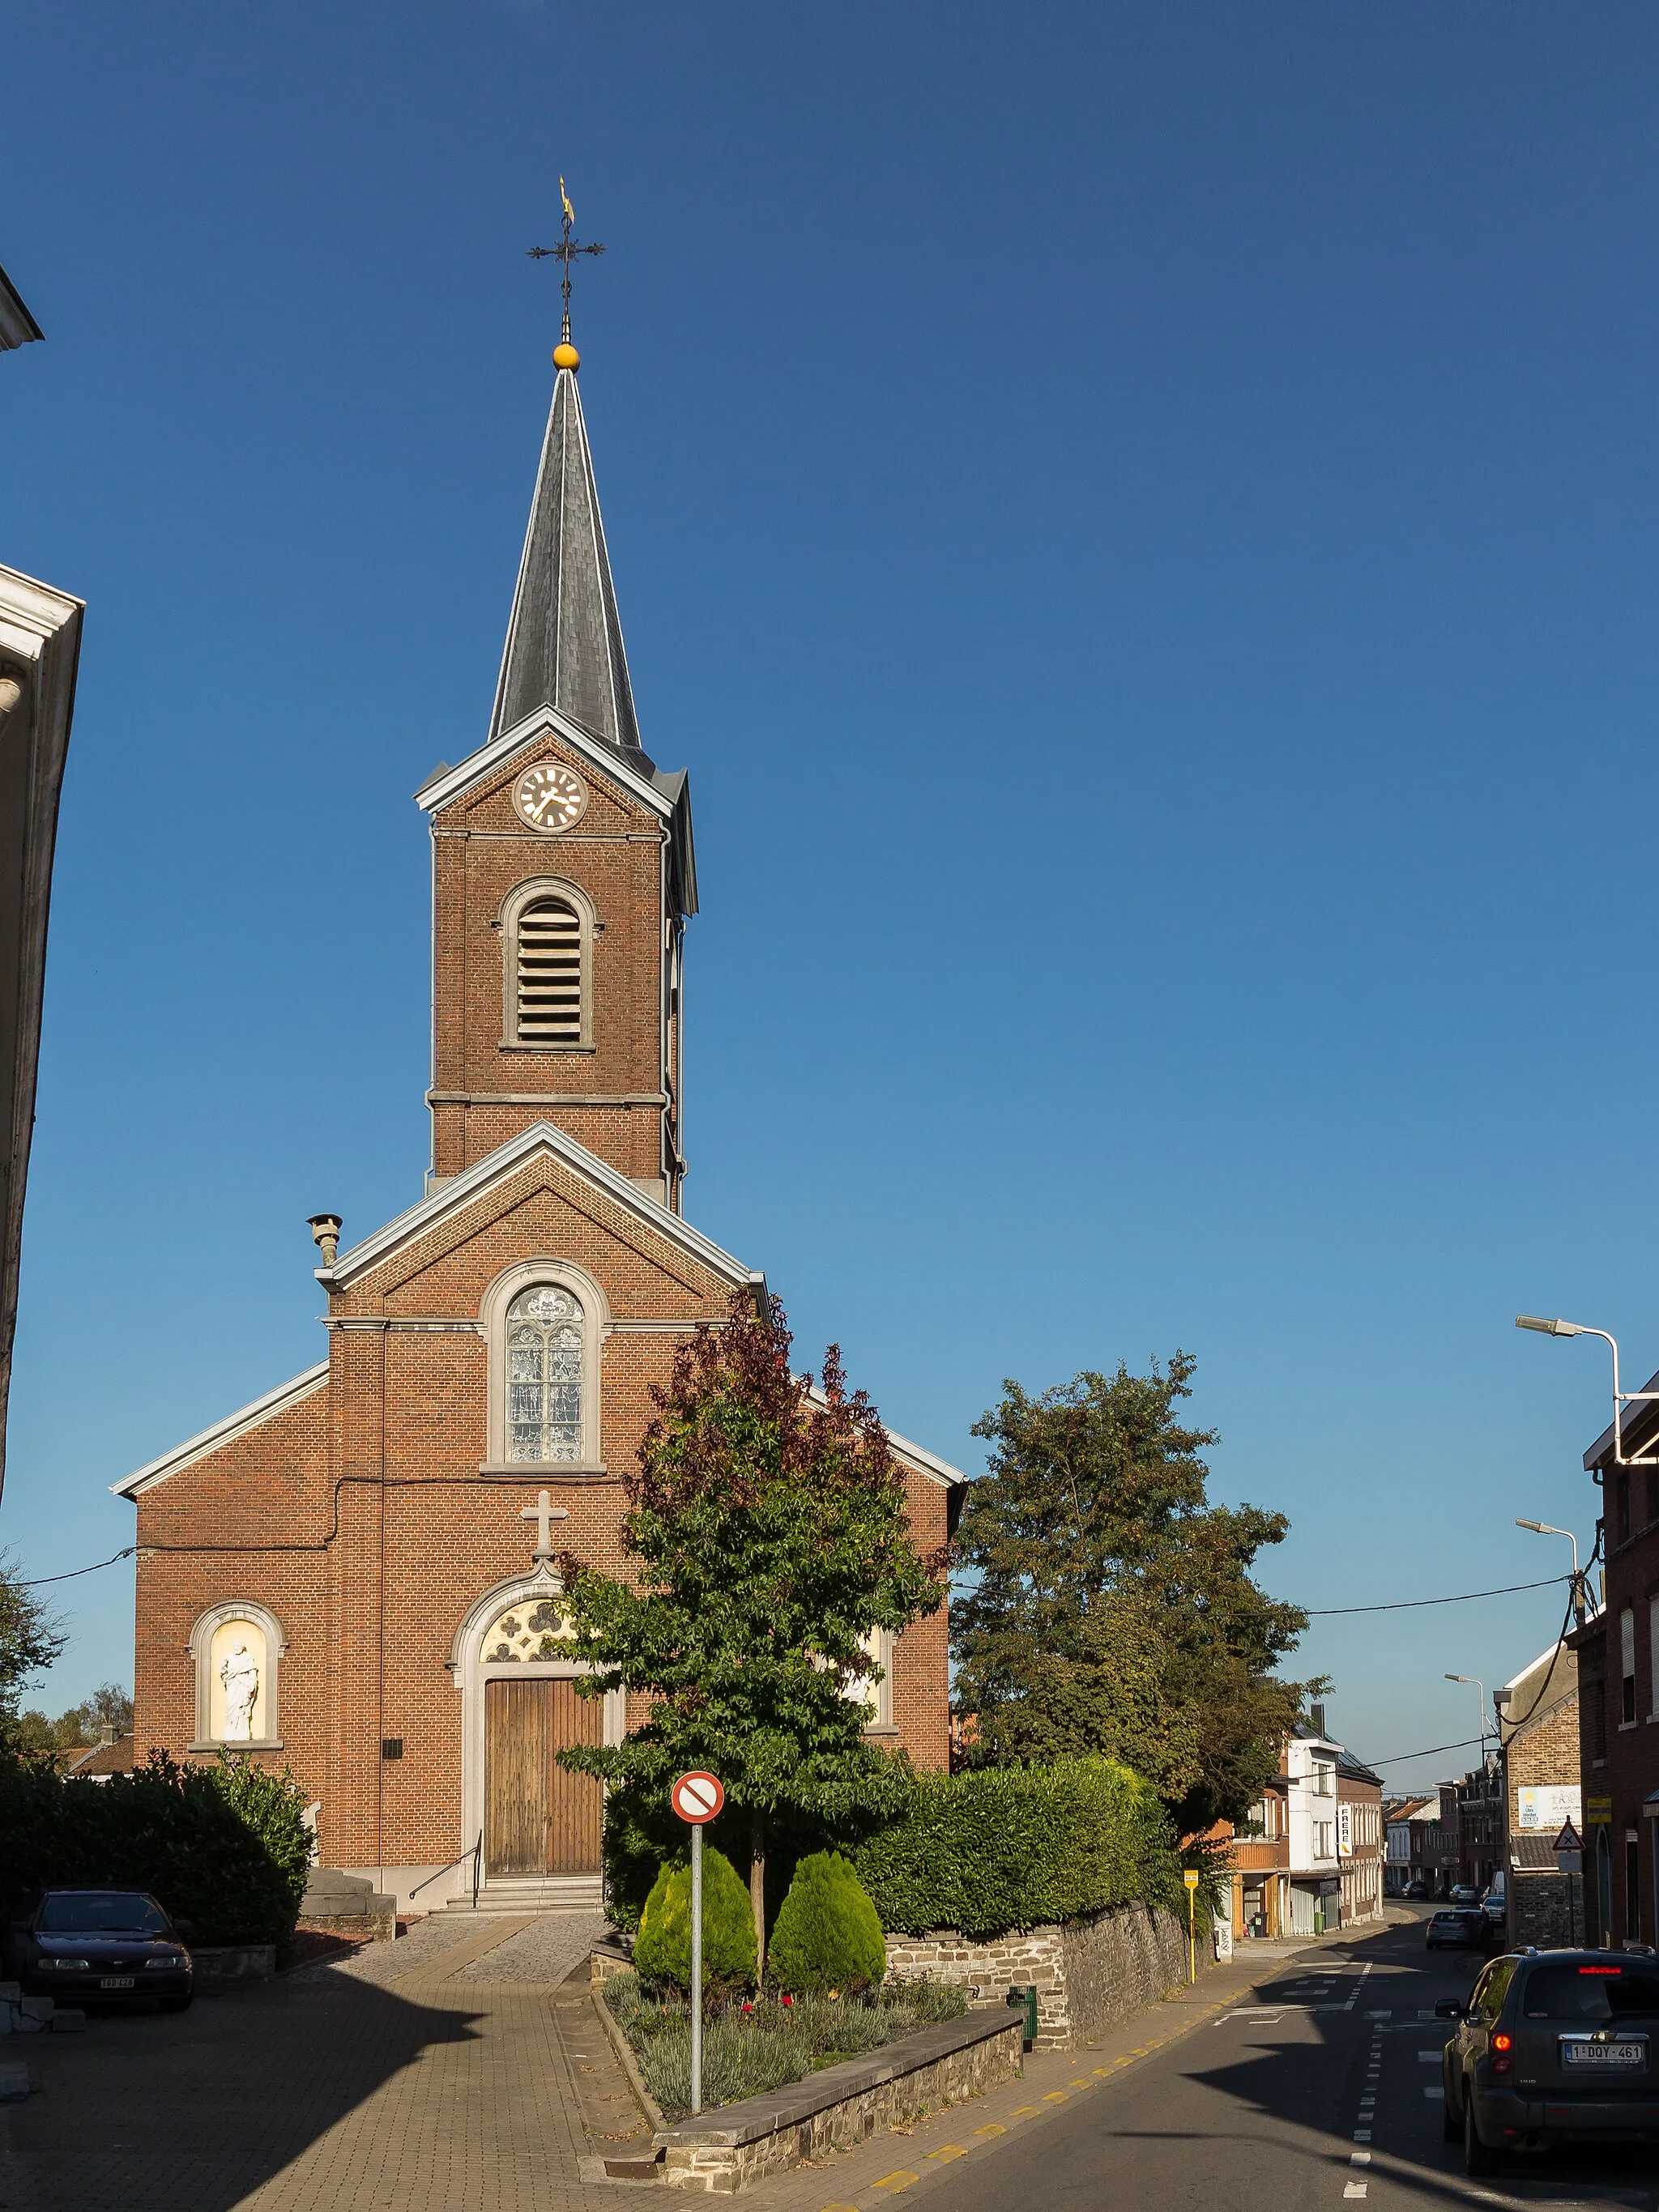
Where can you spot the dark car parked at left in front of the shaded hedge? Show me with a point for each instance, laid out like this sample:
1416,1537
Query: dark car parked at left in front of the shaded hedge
98,1948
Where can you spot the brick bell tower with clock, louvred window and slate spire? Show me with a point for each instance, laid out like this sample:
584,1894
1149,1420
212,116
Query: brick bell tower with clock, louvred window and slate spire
563,868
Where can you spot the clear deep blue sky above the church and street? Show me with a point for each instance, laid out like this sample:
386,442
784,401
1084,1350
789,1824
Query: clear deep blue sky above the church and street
1140,523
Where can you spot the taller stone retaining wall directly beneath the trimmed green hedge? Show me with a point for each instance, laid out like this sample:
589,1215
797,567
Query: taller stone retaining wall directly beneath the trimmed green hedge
1089,1974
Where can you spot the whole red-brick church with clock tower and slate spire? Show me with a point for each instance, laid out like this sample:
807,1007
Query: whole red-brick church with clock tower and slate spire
355,1576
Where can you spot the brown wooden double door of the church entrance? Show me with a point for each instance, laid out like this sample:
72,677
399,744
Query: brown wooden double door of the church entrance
539,1819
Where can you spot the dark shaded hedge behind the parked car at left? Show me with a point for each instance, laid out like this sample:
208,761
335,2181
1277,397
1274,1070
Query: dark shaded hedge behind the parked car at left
222,1848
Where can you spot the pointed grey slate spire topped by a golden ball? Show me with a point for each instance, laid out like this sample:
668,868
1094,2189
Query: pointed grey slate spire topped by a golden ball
565,636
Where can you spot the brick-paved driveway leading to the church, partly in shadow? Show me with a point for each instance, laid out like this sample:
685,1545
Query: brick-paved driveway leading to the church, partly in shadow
432,2094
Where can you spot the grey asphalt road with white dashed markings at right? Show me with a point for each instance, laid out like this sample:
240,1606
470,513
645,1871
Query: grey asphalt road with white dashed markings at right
1317,2094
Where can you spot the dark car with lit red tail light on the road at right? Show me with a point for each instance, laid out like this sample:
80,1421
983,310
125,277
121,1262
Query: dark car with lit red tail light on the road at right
1554,2047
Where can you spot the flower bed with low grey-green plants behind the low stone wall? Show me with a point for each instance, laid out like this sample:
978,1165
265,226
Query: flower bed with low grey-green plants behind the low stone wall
771,2043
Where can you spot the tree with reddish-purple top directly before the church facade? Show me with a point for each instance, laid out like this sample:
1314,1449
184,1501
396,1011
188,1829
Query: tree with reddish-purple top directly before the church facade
771,1536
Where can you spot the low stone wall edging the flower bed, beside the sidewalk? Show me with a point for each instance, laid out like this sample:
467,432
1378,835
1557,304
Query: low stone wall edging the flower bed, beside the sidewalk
839,2107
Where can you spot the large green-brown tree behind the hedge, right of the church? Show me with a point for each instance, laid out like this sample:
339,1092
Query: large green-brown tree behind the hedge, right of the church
1114,1607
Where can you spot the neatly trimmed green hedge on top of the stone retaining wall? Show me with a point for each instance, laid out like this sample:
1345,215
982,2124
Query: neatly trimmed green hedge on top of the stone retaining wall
1010,1848
